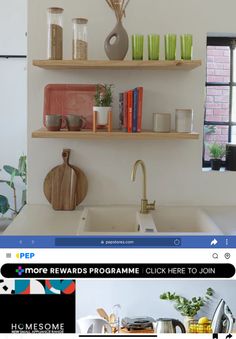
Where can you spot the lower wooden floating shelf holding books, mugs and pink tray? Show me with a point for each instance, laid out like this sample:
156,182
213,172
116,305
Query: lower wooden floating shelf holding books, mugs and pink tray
145,135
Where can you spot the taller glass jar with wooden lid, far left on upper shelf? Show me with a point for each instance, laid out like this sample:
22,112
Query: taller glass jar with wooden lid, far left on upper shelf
55,33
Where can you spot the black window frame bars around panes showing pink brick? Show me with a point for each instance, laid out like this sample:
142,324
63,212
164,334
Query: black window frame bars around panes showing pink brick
231,43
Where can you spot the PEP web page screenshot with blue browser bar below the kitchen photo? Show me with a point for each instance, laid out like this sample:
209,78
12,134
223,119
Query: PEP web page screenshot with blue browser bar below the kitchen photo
102,288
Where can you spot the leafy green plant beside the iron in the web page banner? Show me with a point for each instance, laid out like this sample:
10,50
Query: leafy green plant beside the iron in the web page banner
189,308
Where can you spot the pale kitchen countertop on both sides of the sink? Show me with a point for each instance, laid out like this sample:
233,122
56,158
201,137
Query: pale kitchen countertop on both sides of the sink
43,220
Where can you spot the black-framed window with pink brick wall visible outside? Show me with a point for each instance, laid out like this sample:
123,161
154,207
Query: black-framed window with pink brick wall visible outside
220,106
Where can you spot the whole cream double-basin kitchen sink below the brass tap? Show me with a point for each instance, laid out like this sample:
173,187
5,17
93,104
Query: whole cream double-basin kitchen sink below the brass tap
128,220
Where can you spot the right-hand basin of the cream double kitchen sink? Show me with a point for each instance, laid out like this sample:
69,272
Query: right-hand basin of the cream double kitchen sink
173,219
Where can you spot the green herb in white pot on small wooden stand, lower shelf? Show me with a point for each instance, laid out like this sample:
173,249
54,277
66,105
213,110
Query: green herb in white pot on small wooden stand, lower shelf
103,101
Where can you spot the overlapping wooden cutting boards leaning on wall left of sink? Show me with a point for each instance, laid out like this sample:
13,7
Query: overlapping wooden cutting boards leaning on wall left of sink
65,186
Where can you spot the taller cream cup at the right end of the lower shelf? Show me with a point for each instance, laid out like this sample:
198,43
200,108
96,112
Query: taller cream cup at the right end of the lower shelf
184,120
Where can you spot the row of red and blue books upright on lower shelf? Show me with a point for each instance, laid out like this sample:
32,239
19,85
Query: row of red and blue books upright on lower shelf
131,109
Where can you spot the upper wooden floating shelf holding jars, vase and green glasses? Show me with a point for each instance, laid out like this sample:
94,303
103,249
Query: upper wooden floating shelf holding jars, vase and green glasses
119,65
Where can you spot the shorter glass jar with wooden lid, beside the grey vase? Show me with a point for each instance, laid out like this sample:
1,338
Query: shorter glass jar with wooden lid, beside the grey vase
80,39
